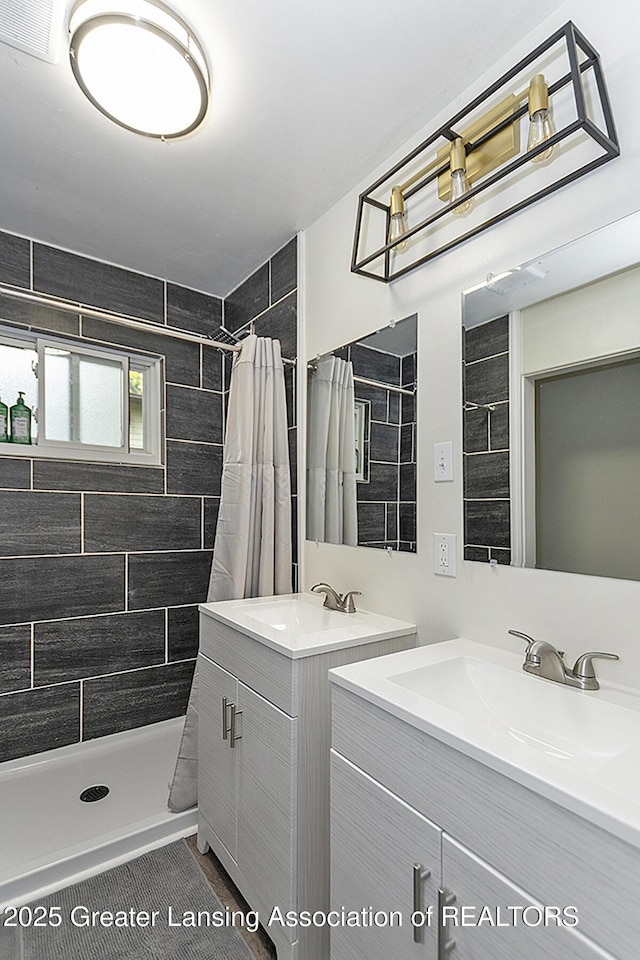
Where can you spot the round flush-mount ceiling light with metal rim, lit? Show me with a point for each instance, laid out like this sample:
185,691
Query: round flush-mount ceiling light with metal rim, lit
140,65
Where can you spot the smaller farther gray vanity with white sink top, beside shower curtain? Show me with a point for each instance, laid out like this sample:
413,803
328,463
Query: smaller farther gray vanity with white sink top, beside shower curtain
263,757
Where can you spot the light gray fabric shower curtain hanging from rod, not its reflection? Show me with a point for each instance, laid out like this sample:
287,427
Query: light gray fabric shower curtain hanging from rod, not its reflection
252,549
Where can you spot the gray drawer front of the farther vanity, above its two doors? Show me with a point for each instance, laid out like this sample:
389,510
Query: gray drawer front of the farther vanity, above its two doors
269,673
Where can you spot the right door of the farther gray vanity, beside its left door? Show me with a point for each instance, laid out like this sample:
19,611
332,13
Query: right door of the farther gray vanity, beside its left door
266,802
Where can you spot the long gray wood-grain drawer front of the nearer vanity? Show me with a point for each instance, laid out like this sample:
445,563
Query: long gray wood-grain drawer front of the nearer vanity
556,856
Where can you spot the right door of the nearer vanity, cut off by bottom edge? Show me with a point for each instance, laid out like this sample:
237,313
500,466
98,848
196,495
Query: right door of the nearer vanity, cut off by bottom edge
514,924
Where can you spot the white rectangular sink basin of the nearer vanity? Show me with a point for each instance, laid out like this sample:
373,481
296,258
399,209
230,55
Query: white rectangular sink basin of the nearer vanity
555,720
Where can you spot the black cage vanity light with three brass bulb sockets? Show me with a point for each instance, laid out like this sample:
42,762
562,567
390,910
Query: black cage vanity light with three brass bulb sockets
484,164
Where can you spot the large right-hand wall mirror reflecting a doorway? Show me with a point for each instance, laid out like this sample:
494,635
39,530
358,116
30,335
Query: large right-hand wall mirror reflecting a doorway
551,388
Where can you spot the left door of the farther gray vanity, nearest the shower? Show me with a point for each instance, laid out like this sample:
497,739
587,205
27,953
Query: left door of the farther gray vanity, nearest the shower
217,763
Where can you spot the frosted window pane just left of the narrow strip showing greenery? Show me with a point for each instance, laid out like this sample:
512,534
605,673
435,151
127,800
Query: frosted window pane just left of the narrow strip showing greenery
100,402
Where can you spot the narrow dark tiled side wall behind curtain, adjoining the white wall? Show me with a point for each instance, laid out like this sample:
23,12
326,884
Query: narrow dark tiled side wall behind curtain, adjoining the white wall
266,304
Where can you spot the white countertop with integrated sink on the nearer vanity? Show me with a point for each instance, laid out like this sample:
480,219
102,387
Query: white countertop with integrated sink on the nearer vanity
563,750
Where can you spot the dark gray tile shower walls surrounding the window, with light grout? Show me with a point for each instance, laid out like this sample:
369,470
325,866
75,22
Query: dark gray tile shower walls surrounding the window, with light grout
102,566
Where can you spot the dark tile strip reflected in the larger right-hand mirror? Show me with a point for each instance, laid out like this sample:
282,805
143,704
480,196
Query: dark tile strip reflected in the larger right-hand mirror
487,532
